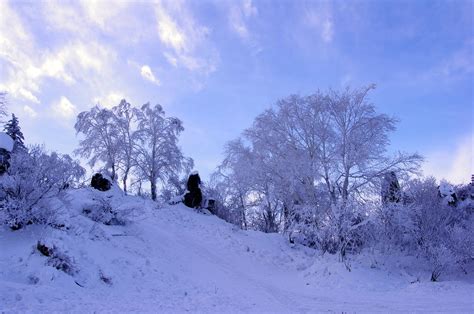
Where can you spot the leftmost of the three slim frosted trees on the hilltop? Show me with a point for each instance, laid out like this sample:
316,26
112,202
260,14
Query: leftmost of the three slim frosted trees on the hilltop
101,140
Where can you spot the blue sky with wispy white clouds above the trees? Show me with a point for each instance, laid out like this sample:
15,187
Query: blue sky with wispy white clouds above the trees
217,64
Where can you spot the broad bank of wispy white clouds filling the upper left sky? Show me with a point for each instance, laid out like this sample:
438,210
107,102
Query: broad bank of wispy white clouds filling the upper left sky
84,42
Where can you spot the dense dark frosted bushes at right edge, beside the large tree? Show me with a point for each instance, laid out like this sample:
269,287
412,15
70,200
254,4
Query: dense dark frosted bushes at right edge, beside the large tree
428,225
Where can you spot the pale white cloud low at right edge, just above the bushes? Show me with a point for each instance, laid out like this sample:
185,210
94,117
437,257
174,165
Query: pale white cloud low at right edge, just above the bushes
455,166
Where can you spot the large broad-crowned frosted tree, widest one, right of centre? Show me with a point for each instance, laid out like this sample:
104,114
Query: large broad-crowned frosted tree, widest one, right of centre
332,143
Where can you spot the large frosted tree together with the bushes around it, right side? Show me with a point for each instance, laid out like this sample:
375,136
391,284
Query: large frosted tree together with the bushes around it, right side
317,168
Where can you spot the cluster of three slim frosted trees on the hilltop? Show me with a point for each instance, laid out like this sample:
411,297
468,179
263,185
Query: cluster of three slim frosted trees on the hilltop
139,144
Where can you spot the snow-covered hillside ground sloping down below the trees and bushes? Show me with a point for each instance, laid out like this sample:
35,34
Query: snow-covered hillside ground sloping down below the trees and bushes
175,260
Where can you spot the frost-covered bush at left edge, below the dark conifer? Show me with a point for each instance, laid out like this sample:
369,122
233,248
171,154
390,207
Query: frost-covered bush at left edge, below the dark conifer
33,179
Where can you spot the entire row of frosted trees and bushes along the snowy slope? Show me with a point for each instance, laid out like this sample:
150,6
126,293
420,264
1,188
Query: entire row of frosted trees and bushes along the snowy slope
316,168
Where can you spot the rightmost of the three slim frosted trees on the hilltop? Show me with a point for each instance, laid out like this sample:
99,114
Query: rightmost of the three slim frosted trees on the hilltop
157,155
